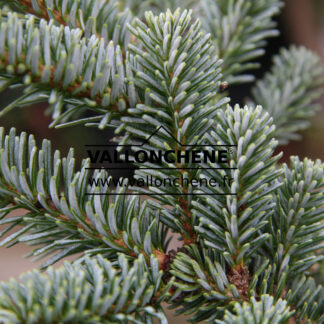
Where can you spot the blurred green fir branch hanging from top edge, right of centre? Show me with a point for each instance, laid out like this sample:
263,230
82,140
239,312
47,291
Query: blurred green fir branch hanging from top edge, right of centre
239,29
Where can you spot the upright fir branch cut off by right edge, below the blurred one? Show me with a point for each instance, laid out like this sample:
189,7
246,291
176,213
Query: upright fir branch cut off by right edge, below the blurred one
297,224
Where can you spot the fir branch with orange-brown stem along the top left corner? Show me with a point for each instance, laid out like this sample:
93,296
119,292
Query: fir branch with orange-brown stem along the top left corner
101,18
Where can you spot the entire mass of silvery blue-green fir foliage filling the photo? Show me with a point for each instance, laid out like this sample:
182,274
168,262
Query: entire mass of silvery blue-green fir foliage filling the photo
156,75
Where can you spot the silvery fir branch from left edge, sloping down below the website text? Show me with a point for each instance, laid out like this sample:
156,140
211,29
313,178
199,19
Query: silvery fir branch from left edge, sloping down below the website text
74,220
